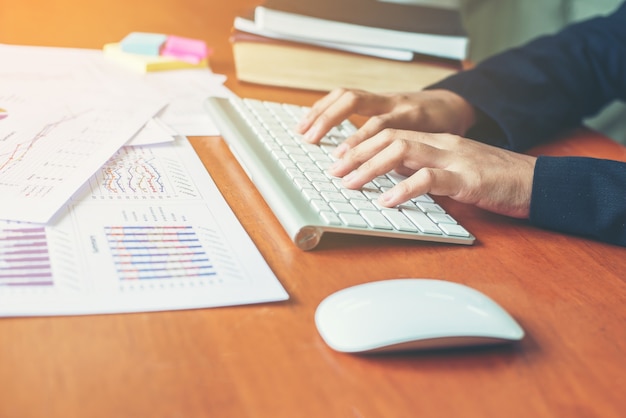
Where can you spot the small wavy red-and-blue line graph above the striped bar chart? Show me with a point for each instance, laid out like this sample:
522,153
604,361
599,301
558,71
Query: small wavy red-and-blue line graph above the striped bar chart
142,173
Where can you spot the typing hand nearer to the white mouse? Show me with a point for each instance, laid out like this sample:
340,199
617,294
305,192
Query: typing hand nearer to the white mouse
471,172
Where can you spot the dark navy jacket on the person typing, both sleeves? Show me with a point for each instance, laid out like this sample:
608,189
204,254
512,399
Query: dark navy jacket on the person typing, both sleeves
530,94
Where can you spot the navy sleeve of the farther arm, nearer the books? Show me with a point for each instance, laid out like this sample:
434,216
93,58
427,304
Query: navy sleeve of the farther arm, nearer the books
532,93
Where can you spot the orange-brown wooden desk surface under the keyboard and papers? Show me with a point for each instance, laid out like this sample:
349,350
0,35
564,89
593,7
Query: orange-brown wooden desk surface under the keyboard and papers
268,360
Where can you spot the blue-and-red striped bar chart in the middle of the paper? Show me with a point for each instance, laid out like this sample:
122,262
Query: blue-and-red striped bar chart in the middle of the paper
158,252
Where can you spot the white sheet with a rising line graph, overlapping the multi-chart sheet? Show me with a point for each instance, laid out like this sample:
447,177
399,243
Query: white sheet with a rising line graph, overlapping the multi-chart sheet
45,156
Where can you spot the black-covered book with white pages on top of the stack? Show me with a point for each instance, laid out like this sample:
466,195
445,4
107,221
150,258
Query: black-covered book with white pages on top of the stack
421,29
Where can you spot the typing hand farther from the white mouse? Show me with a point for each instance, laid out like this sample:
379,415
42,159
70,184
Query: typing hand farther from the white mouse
426,111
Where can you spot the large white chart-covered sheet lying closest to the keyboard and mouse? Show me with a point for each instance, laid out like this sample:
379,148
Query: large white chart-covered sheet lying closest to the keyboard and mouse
149,231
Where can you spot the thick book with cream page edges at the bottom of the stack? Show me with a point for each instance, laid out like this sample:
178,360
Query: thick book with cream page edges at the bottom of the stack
283,63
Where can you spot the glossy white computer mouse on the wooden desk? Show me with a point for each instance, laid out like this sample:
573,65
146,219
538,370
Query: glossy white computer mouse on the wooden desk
410,314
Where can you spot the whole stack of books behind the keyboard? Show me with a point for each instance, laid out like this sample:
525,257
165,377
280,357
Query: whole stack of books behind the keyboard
380,46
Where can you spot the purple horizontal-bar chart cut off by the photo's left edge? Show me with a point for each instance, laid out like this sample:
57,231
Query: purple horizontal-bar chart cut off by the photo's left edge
24,258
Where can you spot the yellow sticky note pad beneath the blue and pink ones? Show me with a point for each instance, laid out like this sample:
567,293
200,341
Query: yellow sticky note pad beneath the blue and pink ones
144,63
